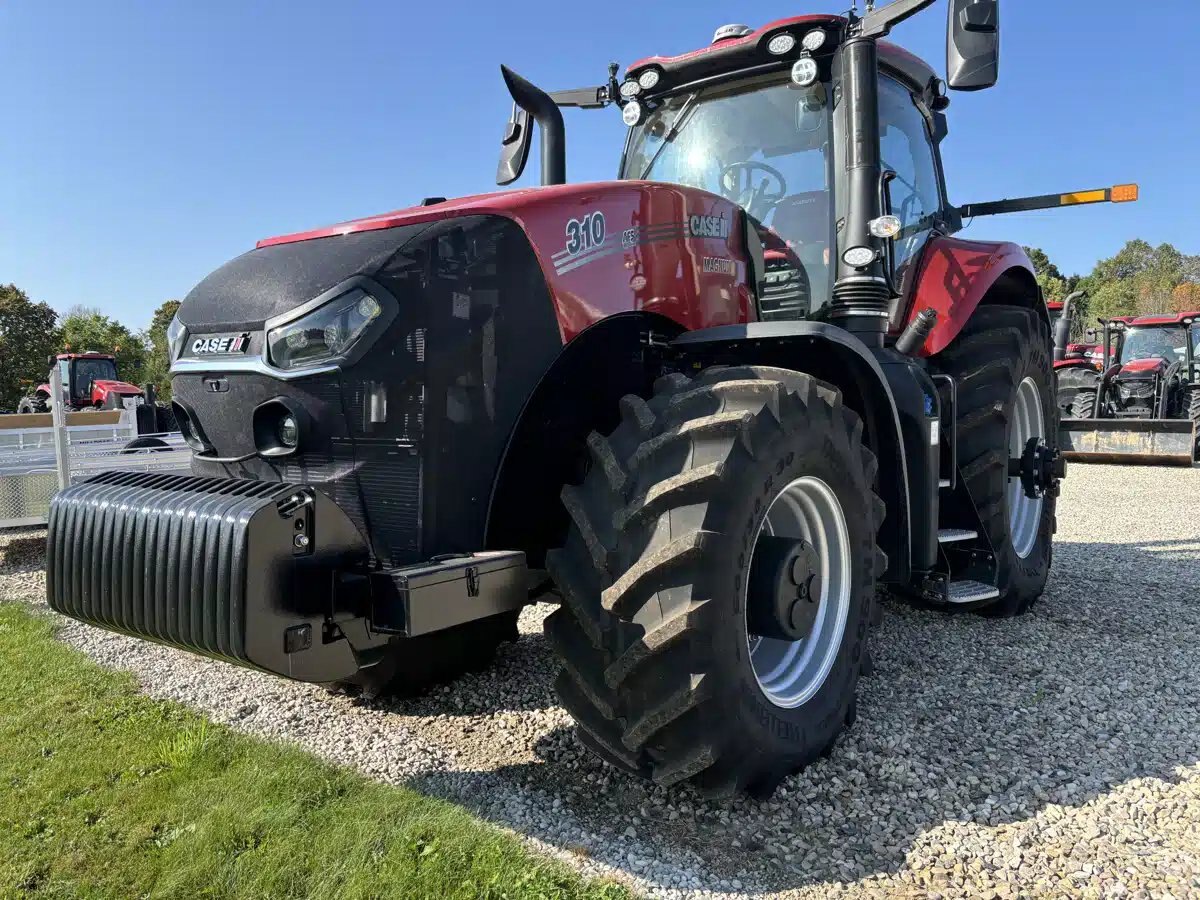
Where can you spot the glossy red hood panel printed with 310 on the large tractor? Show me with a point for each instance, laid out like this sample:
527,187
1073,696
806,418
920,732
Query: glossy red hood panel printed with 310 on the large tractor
611,248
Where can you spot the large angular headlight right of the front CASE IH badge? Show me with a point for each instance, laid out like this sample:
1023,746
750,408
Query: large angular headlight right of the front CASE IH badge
325,334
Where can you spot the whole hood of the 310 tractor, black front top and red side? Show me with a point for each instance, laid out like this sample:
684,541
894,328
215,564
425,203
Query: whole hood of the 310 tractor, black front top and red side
602,248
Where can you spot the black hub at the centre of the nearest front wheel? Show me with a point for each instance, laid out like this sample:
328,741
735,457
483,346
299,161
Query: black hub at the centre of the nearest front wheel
785,589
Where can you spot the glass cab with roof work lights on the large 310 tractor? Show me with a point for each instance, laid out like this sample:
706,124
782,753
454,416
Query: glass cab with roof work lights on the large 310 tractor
773,143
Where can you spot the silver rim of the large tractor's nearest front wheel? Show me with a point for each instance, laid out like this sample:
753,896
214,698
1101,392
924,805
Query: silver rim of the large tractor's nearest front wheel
791,673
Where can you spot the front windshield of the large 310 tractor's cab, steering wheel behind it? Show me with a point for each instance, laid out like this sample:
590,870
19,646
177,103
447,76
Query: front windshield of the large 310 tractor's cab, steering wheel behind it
763,143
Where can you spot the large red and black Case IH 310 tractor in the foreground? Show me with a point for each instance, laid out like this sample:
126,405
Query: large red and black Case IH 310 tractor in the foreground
709,407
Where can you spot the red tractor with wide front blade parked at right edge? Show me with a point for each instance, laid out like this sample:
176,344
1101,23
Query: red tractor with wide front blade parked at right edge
1143,405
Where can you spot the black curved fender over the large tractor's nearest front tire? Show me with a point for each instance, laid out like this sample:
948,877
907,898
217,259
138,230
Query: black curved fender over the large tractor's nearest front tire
886,391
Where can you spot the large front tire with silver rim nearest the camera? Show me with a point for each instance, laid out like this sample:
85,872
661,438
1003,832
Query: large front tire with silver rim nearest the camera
661,669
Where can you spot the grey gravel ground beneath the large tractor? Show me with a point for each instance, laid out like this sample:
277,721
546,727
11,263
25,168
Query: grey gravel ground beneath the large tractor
1058,754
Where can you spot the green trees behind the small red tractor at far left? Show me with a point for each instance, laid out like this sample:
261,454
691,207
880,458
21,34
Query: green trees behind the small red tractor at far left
32,332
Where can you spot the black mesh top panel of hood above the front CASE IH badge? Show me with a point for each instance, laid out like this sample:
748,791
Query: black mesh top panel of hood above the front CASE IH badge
271,281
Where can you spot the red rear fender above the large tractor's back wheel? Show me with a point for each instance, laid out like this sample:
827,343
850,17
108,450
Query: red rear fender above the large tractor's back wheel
956,277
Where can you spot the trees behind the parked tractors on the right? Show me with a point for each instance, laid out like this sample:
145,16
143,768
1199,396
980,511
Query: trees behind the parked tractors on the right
1141,280
